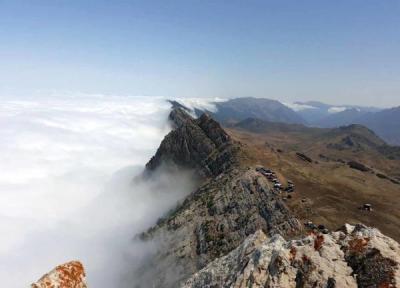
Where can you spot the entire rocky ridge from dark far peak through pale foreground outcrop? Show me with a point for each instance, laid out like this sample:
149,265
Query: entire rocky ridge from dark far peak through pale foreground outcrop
236,230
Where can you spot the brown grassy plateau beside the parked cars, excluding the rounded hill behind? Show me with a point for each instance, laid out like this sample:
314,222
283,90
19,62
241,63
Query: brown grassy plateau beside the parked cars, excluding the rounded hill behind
327,192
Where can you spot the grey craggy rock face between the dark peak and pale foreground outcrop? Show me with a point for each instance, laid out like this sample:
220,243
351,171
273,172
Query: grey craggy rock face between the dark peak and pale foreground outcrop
214,220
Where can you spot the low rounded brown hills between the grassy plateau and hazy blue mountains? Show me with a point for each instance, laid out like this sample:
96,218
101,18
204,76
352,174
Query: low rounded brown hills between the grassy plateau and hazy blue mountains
352,142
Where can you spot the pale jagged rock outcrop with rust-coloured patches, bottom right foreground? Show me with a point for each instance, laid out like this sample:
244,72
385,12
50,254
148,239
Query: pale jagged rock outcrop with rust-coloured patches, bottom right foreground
355,256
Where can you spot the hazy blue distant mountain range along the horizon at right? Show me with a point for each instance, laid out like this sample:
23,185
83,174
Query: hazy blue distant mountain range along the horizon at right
384,122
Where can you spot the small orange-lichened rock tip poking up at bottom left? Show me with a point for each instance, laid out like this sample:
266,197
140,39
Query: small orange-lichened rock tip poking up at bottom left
68,275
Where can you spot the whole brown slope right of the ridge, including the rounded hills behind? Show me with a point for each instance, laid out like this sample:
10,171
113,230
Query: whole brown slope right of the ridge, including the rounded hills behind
329,190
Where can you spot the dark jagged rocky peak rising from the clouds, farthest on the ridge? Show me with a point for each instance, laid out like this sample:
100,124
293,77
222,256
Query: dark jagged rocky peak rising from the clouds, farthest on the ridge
199,144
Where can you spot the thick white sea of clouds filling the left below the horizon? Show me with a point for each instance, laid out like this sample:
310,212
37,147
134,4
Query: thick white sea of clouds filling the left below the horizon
67,188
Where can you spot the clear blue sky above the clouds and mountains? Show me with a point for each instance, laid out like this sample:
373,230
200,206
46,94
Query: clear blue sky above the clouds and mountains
334,51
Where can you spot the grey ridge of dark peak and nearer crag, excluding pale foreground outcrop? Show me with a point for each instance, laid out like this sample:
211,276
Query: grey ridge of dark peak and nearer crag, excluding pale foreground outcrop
233,202
